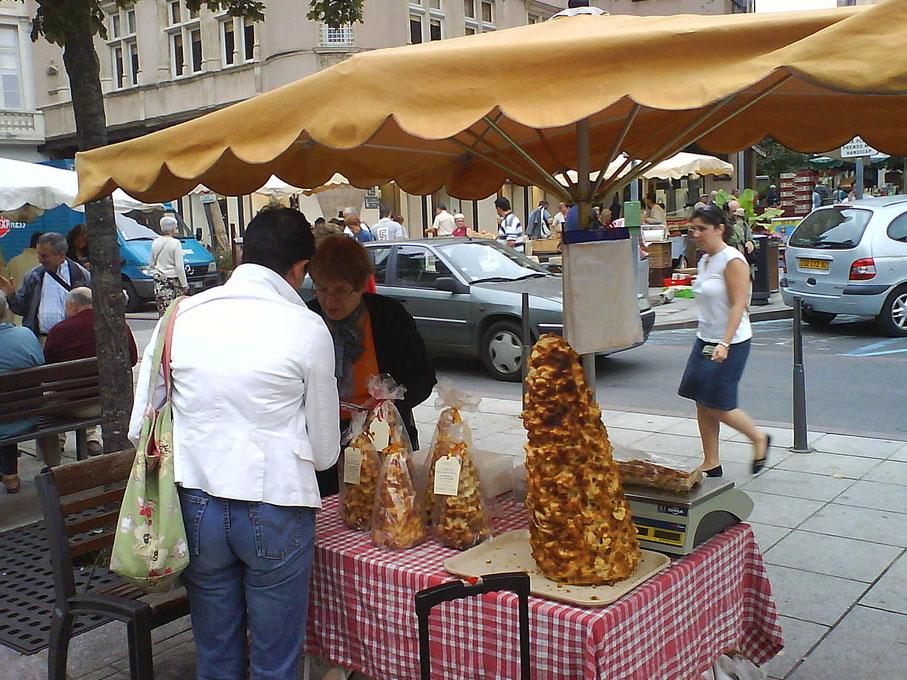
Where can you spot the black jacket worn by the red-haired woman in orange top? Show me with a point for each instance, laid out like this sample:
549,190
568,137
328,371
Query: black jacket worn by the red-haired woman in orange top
401,352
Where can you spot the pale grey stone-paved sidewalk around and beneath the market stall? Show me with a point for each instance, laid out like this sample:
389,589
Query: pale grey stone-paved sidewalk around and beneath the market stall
832,526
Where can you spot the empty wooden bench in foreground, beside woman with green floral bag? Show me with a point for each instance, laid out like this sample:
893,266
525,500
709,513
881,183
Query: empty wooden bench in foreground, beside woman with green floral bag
81,503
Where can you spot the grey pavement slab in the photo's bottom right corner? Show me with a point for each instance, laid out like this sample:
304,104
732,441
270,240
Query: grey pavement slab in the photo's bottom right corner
853,650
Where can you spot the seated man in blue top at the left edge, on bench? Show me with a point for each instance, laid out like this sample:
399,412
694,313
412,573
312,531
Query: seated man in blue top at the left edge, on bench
19,348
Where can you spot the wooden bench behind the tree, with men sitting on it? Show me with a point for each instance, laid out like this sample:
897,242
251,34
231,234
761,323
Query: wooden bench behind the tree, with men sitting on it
46,392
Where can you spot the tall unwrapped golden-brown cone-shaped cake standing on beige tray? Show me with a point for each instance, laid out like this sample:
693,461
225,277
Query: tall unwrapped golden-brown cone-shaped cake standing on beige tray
580,528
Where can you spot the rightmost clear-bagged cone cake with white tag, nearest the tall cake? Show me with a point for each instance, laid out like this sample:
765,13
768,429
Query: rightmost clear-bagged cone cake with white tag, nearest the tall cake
454,501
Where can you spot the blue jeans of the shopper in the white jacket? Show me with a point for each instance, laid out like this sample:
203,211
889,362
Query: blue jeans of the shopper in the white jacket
250,564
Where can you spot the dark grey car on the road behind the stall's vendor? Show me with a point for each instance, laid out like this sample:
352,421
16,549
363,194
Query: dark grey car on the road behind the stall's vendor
465,296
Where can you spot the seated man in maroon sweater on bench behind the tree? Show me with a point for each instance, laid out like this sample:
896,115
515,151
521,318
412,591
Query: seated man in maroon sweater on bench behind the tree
71,339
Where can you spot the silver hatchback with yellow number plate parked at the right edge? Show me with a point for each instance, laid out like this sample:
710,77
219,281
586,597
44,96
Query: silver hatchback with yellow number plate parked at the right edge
851,258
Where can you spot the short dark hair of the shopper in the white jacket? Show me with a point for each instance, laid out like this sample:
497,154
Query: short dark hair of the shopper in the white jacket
278,238
